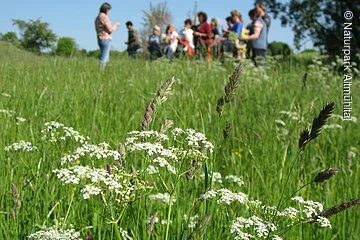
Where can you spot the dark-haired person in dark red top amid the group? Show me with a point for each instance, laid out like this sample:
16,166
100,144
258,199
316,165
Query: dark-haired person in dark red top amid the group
203,36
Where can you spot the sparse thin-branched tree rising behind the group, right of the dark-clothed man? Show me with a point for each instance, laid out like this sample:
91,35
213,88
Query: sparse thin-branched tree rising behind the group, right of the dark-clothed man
158,14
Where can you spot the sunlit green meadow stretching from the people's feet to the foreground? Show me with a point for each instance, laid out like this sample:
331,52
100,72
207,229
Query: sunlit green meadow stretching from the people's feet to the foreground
259,157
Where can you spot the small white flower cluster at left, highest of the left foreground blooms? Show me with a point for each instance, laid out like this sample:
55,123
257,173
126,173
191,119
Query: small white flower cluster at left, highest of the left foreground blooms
56,132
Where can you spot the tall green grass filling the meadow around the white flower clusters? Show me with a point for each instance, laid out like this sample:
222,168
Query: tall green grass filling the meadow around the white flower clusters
106,105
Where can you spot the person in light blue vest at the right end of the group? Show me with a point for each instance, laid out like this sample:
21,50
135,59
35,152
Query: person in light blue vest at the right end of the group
258,38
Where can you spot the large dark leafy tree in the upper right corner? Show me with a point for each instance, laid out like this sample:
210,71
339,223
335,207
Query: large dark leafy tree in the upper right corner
321,21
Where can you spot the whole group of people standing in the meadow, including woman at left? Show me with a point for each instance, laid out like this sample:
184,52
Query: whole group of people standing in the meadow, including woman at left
202,40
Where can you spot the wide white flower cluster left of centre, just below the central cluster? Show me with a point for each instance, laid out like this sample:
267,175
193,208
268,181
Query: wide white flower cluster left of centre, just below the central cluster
124,187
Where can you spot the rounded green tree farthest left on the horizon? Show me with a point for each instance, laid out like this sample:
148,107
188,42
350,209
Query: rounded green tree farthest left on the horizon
36,35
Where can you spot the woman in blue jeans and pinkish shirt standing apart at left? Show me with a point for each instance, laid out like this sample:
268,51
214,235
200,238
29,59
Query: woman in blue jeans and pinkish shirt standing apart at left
104,28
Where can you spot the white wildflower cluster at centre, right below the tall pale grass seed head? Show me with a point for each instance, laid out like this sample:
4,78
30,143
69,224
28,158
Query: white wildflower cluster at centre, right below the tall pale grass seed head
191,147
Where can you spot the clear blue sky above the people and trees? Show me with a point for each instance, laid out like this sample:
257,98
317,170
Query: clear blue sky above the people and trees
75,18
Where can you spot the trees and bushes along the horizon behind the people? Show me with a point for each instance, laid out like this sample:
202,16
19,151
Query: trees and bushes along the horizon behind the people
319,21
